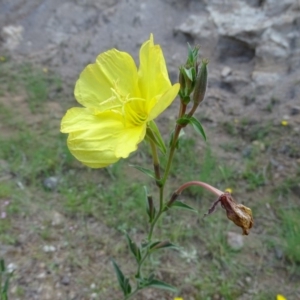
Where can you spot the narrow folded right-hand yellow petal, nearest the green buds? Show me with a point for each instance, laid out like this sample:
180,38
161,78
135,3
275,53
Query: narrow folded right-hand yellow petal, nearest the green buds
164,101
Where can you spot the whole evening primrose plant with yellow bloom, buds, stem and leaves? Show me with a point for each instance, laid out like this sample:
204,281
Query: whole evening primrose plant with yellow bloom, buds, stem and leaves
119,105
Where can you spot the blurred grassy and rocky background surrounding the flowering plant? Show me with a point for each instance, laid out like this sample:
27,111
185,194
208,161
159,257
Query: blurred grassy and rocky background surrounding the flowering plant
61,222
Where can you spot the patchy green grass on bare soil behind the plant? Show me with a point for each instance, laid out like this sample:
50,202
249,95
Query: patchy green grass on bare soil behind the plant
96,206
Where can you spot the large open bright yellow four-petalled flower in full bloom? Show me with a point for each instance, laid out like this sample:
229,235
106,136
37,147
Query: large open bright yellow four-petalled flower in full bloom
118,101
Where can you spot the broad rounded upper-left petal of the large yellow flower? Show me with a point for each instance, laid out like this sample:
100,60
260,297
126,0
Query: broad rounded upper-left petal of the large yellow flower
113,69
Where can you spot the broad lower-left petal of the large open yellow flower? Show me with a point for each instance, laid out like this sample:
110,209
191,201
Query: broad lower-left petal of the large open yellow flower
98,140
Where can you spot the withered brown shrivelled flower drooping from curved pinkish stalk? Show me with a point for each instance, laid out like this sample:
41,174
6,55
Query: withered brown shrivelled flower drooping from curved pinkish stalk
239,214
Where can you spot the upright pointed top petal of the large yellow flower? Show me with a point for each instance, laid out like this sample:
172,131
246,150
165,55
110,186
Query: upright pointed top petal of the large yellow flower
153,75
